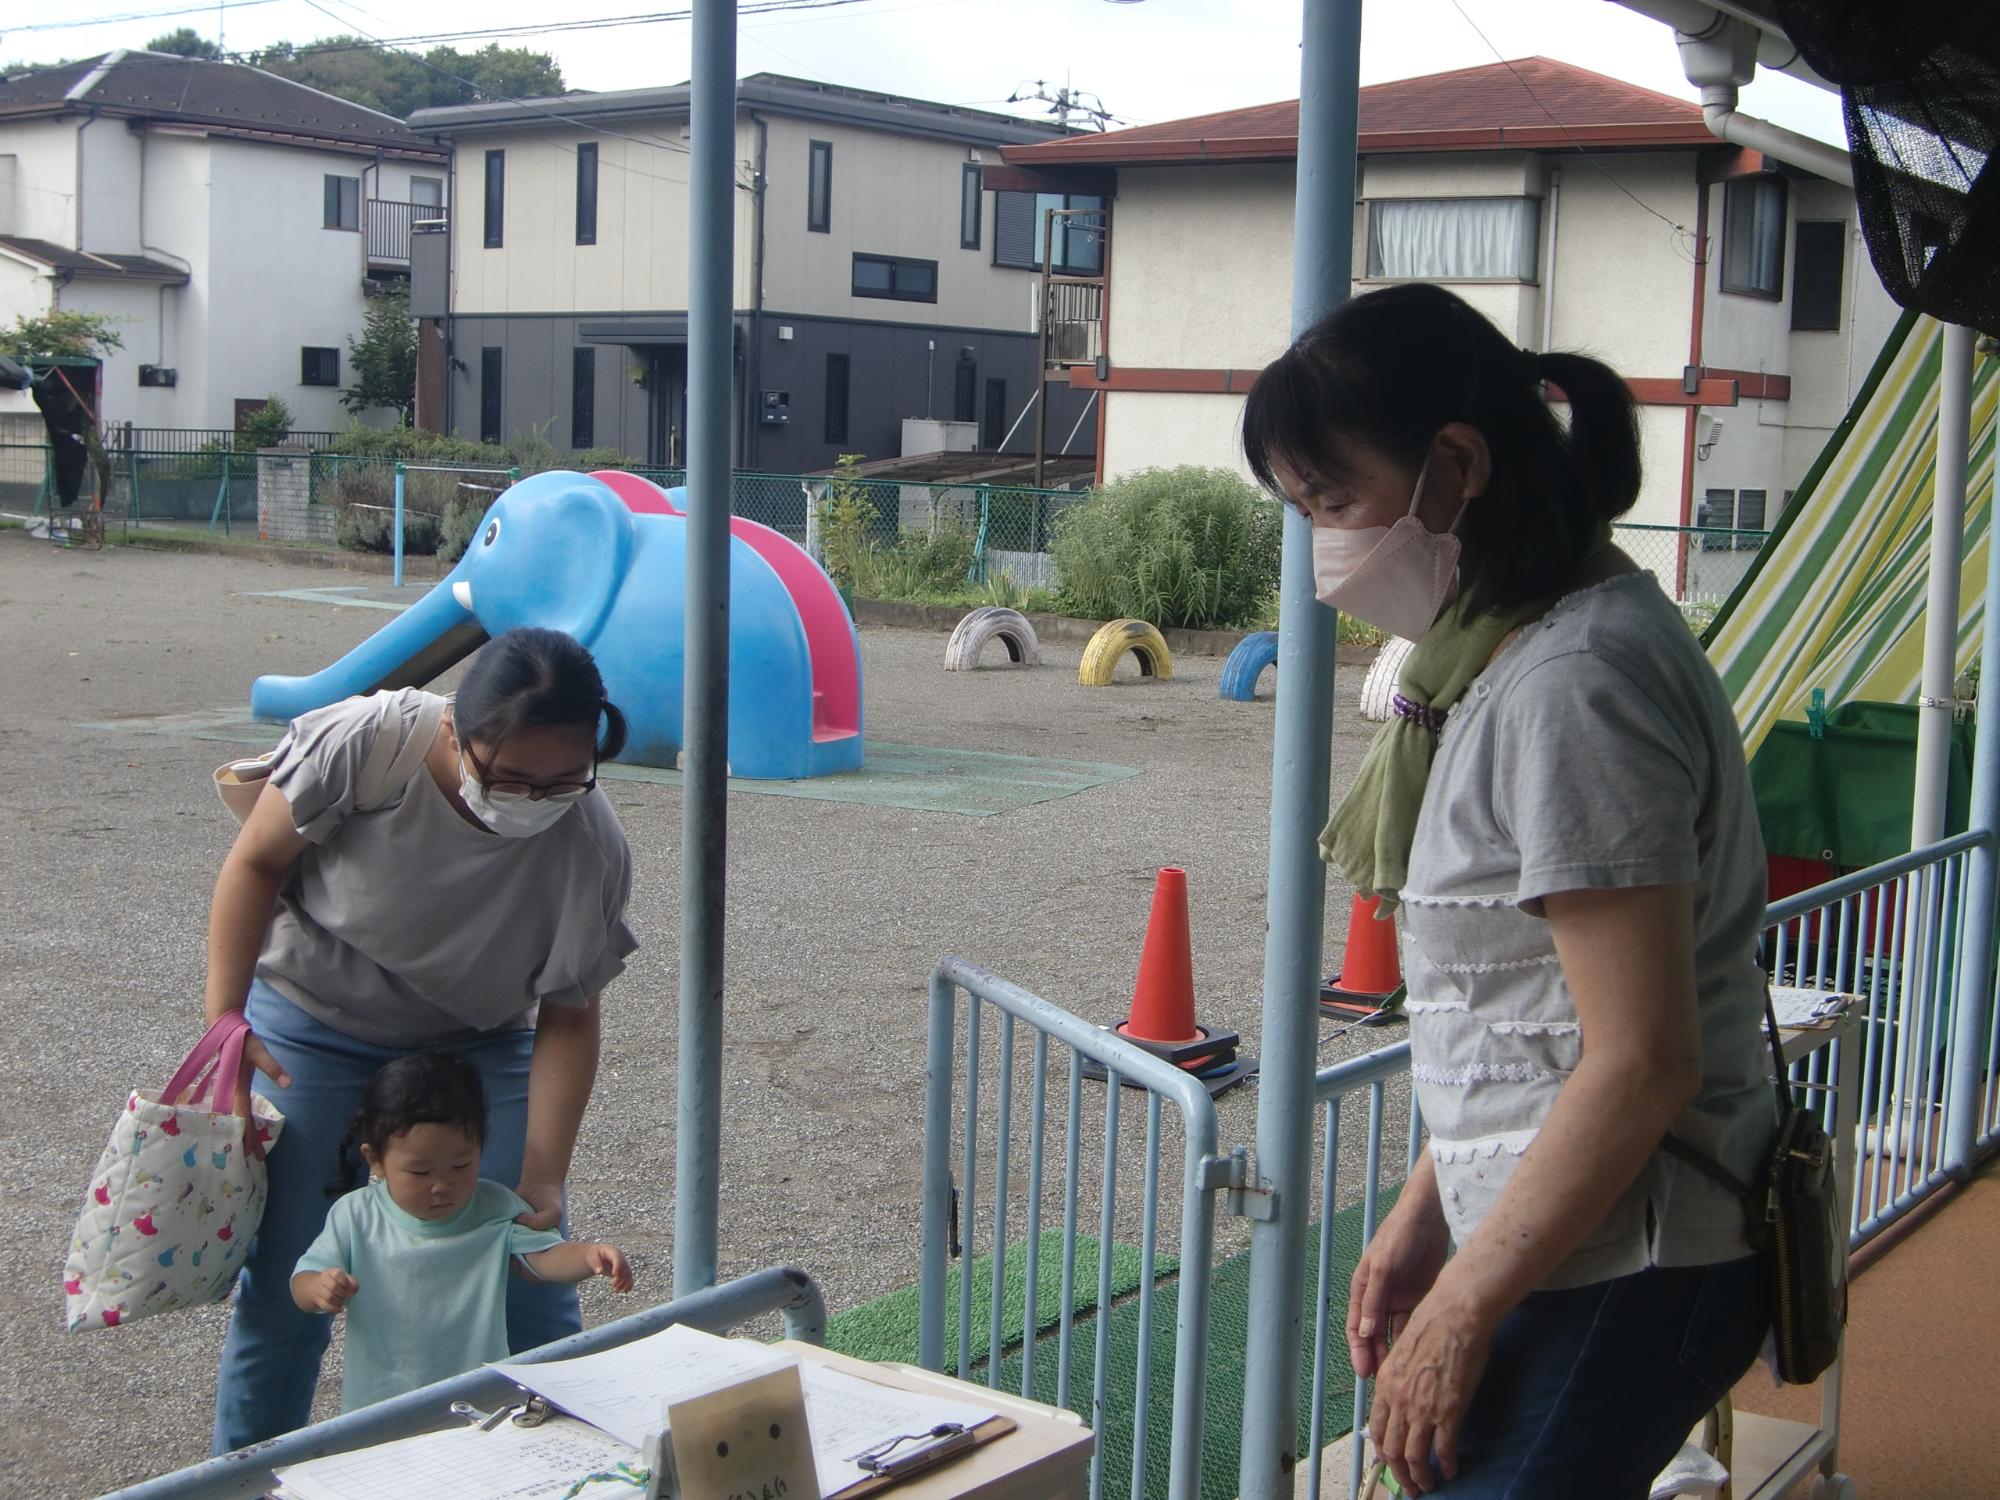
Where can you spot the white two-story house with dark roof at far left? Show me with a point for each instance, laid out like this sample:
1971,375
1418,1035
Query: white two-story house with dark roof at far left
229,221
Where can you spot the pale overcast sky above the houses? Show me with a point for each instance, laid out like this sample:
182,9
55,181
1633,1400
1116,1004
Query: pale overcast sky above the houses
1149,61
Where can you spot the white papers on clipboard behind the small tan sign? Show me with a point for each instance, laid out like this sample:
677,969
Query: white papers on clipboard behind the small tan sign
629,1389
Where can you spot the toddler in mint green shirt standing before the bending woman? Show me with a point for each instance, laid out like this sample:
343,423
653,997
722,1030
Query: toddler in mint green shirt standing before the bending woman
419,1259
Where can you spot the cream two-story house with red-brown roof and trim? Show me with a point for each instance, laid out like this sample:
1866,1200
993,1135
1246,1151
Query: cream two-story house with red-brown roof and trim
1577,211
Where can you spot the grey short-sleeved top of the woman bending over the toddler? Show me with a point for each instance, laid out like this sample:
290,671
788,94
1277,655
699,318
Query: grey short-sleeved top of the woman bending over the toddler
409,927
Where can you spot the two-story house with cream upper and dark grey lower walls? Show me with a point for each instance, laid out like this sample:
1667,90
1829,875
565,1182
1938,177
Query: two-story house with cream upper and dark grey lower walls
877,279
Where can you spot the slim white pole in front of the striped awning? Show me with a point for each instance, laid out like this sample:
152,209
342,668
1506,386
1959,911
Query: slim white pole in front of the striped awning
1937,699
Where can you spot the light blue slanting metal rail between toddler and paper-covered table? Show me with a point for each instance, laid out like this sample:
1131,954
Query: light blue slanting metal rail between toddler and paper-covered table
719,1309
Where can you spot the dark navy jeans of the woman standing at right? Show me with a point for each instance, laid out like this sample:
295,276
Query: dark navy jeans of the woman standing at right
1593,1391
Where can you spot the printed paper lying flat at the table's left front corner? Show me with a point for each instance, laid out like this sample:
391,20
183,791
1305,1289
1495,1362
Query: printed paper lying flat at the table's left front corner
511,1463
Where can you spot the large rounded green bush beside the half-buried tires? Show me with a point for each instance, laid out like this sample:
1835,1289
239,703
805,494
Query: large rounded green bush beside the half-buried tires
1175,547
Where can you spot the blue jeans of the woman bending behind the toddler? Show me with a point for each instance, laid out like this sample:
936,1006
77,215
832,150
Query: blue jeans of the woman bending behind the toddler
273,1355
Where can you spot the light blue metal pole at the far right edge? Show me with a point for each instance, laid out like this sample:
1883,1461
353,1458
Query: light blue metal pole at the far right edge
1975,959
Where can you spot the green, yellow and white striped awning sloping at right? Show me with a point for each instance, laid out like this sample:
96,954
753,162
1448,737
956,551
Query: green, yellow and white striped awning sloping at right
1835,603
